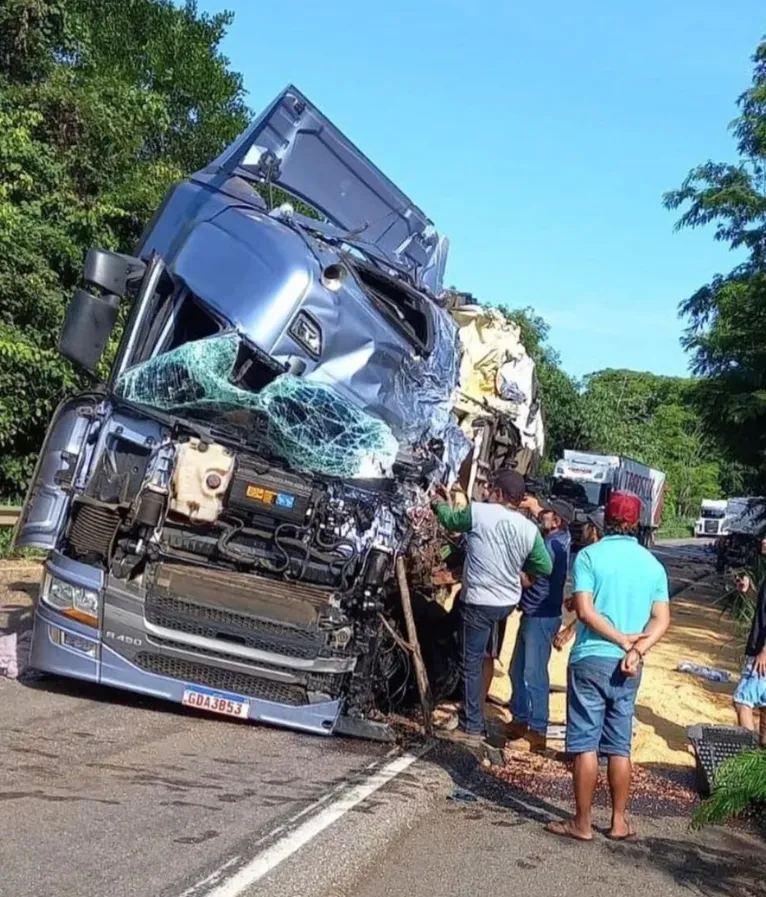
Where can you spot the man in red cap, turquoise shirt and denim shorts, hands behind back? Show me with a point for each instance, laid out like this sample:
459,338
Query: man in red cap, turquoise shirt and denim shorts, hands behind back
620,594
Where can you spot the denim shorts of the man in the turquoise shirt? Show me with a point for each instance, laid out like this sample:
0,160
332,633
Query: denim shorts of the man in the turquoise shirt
600,706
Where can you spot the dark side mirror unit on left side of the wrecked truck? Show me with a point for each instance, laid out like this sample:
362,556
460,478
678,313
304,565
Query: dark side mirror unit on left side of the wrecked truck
90,318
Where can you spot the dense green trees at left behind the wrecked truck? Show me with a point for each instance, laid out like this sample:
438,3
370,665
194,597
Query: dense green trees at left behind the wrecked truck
103,105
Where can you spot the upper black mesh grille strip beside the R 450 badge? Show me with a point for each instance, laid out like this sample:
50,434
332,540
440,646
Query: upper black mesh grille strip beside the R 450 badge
227,626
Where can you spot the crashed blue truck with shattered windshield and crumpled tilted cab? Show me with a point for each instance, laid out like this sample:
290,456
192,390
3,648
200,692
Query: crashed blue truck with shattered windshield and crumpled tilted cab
222,516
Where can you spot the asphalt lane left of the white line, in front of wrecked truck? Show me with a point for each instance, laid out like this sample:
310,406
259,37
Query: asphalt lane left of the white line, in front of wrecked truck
106,794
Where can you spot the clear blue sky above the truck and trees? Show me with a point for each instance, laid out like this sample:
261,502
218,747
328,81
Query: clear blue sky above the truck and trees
538,136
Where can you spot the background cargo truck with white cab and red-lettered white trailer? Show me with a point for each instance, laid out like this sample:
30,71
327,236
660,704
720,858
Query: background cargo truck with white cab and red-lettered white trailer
587,480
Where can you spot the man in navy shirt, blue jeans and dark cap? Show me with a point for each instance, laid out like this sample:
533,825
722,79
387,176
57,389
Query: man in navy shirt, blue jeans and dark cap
541,608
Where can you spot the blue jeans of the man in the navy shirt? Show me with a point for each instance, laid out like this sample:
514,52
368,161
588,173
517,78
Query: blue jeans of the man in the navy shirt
530,682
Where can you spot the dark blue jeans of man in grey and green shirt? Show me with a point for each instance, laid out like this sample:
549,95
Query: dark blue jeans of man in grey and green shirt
480,628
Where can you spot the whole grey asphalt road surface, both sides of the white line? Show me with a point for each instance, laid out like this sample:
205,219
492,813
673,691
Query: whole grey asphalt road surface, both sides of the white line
104,793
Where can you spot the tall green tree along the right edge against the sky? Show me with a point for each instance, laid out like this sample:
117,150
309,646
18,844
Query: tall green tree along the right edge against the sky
727,317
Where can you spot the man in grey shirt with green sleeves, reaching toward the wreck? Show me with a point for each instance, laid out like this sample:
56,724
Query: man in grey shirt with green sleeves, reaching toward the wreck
501,544
